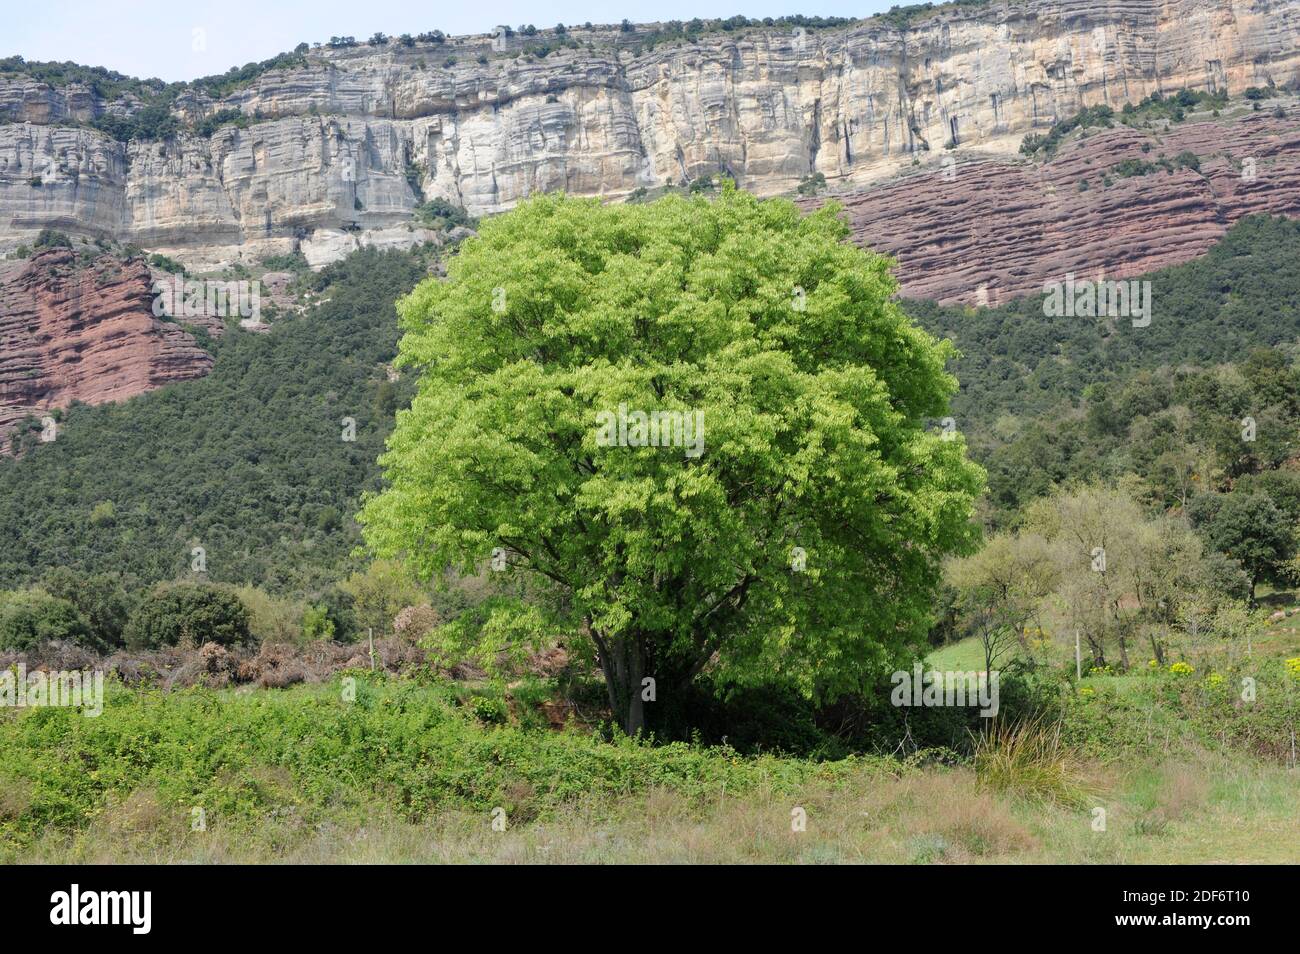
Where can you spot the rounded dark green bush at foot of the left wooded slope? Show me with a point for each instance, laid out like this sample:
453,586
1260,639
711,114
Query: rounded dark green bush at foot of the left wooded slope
189,614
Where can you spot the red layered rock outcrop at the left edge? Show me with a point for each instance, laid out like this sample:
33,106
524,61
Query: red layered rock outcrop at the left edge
86,333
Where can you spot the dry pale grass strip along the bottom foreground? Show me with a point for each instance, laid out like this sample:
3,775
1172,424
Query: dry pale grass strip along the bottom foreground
939,816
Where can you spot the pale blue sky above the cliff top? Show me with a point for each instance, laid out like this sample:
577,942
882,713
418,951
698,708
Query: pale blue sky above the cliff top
184,40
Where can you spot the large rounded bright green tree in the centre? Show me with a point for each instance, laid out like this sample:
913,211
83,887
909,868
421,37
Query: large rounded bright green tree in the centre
799,541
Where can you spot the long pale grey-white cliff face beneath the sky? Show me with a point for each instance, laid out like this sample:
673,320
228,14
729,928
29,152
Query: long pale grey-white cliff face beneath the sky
337,146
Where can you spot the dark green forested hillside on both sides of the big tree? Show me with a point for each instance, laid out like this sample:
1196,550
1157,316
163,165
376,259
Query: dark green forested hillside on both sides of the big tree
250,463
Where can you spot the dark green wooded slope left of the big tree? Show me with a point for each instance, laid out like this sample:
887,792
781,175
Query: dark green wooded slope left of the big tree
249,461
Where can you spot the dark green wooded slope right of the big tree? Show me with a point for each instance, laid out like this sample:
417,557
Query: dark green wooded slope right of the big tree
1137,400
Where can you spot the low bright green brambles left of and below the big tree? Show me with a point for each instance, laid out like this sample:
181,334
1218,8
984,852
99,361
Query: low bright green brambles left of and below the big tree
402,744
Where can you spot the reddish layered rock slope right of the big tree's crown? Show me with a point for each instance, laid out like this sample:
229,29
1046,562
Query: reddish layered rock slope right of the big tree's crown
987,232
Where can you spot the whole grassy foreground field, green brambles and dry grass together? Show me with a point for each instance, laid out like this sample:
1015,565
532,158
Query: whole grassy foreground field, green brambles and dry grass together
409,773
